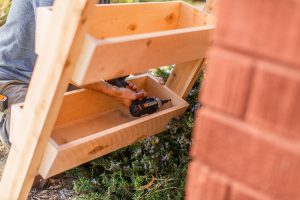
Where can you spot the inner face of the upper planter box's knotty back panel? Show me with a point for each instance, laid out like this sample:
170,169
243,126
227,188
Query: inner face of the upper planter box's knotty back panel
127,19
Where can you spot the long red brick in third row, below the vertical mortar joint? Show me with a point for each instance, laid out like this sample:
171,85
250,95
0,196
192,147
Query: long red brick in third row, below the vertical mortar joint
247,154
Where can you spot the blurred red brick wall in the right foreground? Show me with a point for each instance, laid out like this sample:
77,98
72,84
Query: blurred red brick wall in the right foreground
246,143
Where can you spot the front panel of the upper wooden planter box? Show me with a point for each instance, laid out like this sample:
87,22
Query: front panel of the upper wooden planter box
110,58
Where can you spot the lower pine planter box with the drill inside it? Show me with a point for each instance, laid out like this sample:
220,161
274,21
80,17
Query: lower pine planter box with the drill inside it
106,126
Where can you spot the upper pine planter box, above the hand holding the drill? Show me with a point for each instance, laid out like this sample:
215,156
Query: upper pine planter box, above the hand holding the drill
110,57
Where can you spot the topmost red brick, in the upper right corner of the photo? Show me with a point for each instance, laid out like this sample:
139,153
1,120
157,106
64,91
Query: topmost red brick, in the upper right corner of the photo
265,28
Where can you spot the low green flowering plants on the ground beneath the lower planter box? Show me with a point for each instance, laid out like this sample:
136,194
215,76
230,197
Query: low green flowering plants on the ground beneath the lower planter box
154,168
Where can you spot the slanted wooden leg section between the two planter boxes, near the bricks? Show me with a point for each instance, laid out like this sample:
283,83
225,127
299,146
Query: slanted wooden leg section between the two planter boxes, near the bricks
183,77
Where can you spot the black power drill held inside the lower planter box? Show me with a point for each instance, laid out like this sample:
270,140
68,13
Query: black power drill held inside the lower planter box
143,106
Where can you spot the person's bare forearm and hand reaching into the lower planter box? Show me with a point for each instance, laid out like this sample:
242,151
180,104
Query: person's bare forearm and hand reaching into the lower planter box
123,95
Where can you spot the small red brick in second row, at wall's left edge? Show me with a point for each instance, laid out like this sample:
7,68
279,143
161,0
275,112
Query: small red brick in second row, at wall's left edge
227,82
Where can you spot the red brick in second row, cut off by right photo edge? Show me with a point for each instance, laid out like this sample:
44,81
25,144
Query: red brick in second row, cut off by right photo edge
274,101
